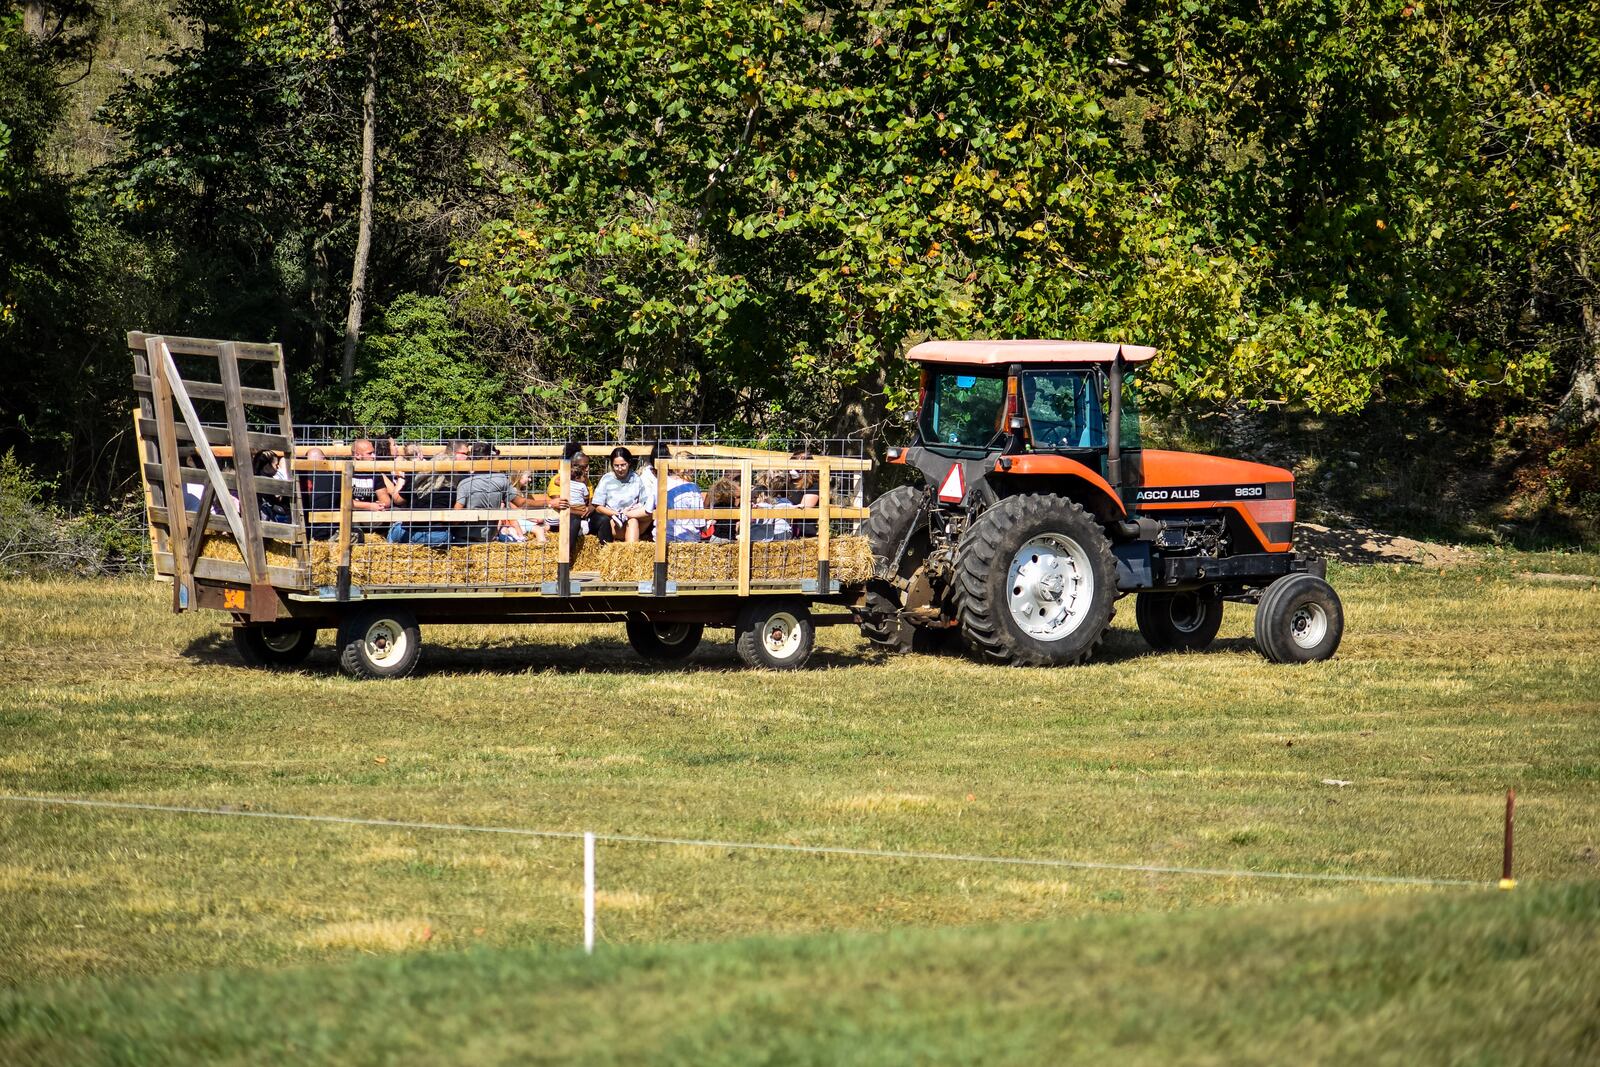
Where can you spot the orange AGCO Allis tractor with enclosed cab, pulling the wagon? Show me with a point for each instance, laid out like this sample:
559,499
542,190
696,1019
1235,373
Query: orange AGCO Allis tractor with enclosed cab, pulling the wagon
1041,510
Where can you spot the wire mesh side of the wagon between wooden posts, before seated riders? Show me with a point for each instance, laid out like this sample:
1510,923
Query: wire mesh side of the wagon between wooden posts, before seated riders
527,514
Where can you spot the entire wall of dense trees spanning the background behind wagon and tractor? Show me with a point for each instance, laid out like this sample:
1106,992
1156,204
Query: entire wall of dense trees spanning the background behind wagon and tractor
746,212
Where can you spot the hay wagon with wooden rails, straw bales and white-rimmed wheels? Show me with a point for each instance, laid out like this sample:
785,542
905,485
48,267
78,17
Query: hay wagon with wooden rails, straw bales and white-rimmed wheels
302,549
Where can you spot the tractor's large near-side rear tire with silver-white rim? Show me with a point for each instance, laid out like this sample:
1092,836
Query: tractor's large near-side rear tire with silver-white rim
1036,581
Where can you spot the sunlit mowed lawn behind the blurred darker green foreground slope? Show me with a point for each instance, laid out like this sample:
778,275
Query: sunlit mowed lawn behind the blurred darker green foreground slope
1450,687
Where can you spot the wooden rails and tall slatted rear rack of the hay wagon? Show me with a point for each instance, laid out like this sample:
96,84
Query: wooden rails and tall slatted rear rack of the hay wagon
207,412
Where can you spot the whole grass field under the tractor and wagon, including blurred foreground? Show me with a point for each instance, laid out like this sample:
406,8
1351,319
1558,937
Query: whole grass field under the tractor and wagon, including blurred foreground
1452,685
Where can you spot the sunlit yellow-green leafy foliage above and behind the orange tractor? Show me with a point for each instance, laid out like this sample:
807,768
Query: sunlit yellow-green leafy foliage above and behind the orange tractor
1298,202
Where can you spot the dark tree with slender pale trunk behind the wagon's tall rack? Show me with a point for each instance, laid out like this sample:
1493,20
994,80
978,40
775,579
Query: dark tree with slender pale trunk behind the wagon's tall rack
286,150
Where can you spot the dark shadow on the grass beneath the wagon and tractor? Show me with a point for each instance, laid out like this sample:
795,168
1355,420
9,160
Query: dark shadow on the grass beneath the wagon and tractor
609,655
